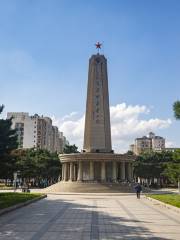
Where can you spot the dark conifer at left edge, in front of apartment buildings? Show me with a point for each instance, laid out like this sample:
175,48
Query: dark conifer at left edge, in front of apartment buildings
8,142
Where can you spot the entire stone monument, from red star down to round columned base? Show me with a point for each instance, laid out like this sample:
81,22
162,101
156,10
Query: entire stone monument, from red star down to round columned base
97,163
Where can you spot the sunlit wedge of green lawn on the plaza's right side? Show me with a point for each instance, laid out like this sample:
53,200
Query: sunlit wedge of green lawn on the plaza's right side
172,199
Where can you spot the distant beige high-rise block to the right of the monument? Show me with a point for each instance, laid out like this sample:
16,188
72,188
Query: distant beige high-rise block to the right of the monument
147,144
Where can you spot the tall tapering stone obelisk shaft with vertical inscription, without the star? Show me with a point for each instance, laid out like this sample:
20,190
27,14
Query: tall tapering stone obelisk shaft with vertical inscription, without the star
97,133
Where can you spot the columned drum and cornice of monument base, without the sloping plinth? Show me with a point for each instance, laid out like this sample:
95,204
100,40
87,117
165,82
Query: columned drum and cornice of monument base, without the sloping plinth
98,167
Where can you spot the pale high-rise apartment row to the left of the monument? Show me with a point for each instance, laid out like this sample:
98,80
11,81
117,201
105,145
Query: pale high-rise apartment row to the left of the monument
36,132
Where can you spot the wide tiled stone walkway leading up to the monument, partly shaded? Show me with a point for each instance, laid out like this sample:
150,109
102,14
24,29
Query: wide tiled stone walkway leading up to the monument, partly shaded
90,217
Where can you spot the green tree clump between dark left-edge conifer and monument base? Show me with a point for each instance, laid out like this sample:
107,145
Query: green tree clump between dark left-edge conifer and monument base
38,167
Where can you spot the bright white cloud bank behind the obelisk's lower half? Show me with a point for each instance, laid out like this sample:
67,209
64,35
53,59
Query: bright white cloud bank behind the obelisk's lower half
127,123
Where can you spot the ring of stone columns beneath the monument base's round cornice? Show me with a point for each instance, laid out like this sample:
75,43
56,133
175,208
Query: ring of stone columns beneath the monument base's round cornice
120,171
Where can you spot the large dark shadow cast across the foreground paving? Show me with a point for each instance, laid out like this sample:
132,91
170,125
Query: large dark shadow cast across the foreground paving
58,219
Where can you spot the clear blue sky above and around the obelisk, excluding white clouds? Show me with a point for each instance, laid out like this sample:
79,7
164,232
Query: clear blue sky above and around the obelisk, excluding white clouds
45,46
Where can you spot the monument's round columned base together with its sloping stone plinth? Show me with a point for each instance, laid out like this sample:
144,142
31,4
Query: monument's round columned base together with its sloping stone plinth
95,173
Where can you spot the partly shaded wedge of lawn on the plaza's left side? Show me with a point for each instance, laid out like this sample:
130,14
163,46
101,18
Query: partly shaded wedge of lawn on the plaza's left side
12,198
